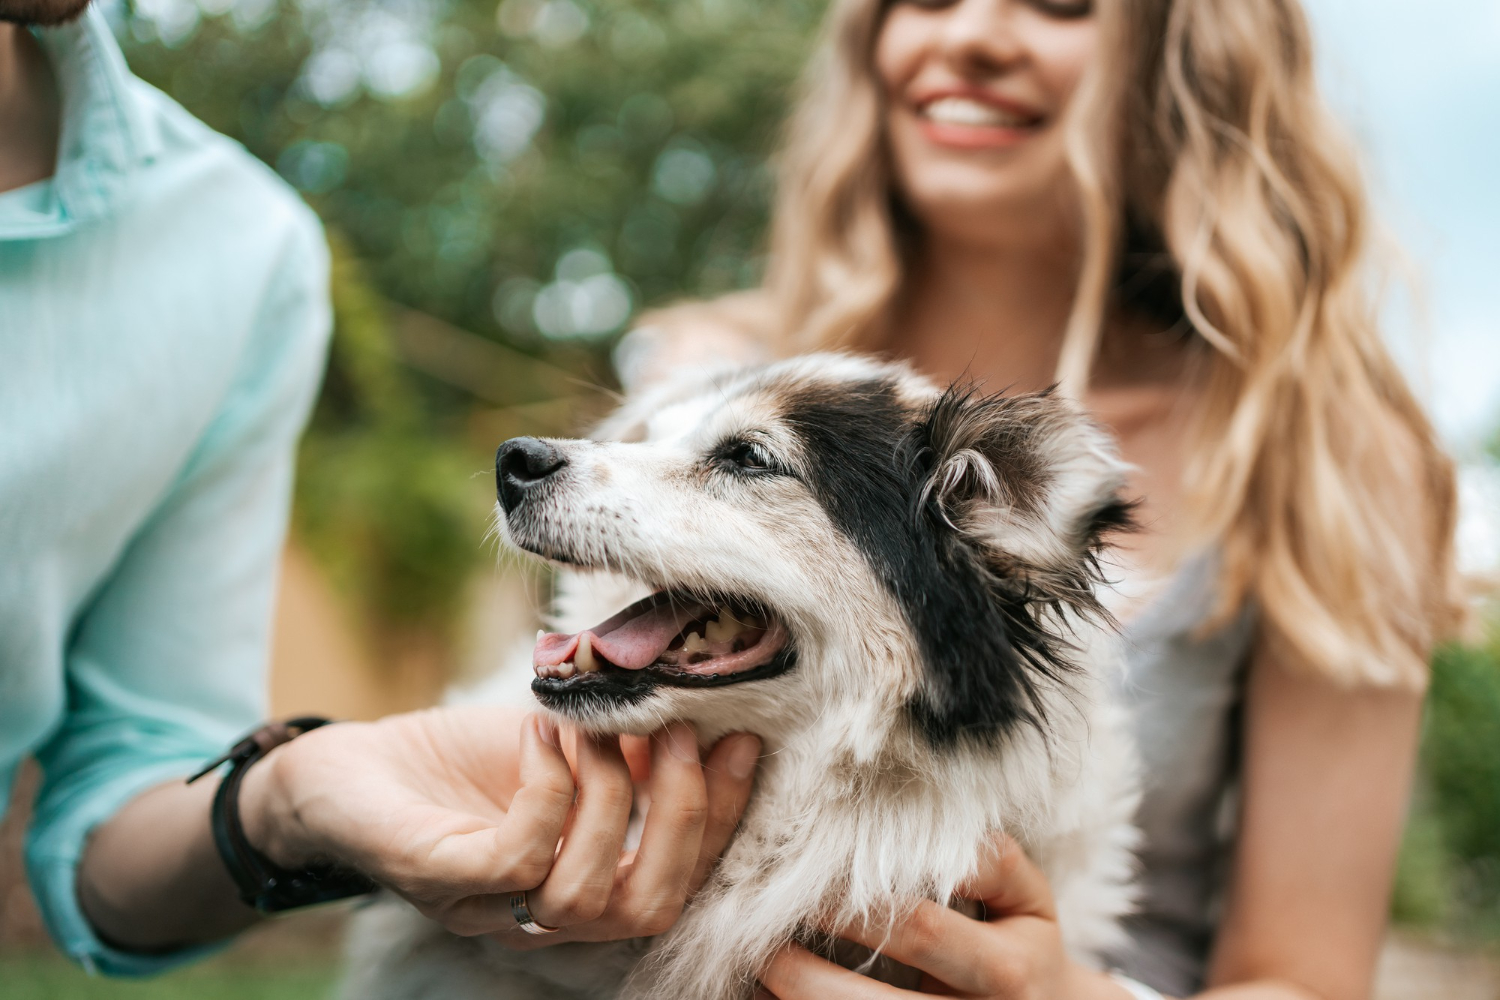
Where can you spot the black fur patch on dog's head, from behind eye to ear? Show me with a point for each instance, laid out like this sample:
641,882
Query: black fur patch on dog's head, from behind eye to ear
910,488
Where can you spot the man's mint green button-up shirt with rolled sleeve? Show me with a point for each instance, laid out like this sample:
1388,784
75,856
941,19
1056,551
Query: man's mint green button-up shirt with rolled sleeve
163,331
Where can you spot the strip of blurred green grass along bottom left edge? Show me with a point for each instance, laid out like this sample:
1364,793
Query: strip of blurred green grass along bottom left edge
53,978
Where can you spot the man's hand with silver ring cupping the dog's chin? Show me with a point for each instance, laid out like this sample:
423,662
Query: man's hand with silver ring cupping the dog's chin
440,807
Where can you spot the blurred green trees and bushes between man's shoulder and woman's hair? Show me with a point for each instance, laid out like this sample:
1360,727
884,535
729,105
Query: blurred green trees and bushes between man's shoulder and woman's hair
521,179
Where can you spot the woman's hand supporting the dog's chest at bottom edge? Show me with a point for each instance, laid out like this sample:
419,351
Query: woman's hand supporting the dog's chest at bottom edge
1016,954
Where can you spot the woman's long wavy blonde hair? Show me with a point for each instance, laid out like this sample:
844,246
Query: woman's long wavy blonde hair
1315,470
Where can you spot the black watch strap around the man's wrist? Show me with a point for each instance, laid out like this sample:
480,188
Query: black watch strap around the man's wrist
263,884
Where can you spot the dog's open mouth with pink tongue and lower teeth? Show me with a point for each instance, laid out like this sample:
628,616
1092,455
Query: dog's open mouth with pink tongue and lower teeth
668,638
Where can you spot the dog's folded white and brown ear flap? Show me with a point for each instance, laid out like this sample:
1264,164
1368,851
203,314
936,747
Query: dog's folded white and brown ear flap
1030,479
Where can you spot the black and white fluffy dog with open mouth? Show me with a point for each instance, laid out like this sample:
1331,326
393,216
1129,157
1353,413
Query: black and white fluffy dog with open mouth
896,588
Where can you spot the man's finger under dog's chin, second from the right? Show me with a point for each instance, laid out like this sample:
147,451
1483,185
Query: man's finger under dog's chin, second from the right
673,836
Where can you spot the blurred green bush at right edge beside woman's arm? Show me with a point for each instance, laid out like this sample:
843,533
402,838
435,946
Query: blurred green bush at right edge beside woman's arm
1450,872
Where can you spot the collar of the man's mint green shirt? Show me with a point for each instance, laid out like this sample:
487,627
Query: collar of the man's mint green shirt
106,134
